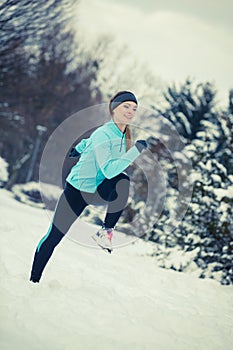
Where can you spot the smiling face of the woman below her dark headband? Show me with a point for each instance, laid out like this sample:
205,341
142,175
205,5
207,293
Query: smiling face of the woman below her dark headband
124,113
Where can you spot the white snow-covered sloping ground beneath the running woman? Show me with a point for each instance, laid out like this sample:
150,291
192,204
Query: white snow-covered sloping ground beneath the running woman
88,299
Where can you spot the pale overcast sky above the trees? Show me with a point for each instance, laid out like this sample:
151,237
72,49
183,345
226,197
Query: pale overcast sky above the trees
175,38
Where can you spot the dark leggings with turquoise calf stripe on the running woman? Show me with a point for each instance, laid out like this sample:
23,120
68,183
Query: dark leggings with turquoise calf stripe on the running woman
113,192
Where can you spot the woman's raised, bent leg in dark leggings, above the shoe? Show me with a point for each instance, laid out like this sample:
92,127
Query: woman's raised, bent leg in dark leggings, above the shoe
116,192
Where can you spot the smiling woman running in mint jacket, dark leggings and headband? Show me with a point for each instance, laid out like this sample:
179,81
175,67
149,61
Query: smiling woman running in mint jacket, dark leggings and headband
97,178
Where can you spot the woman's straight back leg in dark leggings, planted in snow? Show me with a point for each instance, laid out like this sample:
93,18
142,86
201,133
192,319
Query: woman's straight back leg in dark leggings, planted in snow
70,205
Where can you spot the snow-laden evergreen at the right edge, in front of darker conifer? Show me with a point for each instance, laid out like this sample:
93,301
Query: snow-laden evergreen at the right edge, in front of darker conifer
208,224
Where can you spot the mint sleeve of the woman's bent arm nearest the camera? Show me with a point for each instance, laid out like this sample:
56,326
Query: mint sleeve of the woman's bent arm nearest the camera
112,167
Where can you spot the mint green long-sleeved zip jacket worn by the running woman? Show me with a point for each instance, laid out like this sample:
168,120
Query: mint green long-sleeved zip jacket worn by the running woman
103,156
